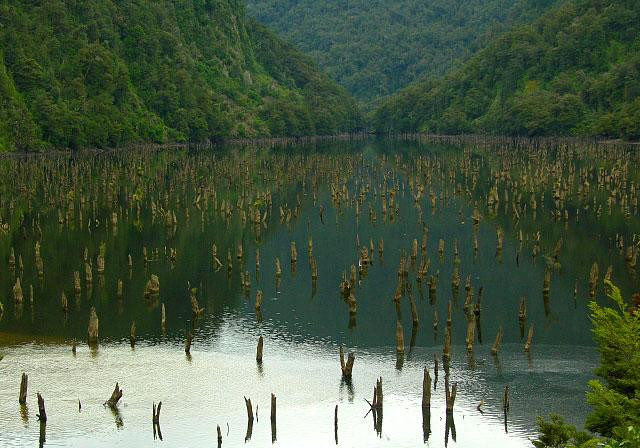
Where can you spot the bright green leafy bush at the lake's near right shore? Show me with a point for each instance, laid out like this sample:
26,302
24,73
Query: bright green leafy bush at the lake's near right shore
616,399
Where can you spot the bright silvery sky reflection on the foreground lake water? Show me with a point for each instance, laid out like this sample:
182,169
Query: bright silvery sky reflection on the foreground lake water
207,390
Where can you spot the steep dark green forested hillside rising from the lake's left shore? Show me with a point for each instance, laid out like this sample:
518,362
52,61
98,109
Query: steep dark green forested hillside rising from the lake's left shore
104,73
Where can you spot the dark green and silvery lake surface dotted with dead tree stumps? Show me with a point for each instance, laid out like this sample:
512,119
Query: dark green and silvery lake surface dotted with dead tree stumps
335,198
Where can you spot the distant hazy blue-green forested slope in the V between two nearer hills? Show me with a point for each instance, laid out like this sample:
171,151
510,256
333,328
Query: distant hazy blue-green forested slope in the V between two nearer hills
376,47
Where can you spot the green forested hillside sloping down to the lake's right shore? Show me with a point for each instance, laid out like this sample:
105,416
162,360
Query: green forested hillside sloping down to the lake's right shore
574,71
